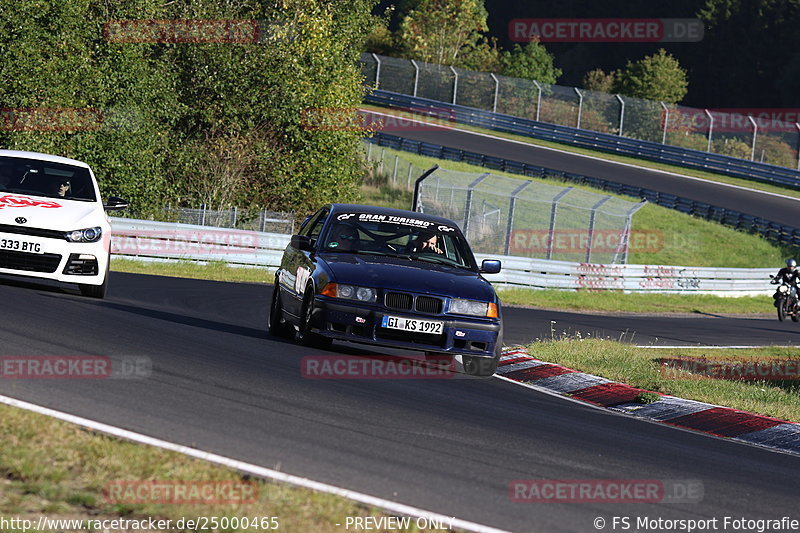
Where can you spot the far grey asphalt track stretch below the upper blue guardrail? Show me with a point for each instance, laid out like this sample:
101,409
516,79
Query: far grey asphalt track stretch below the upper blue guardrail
770,207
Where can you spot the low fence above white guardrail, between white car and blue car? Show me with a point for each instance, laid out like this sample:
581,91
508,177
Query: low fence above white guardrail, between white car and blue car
234,218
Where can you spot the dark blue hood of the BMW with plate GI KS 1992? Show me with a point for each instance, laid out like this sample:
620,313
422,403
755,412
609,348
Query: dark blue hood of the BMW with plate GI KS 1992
407,275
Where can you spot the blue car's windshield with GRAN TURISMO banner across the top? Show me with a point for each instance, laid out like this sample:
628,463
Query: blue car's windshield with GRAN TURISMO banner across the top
406,237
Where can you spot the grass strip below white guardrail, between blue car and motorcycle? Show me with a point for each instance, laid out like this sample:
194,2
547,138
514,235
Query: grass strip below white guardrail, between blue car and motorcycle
617,301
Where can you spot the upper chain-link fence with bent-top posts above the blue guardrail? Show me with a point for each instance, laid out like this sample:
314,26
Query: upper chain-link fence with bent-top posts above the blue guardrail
755,135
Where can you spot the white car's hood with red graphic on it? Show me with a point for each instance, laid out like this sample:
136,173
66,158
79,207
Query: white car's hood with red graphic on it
50,213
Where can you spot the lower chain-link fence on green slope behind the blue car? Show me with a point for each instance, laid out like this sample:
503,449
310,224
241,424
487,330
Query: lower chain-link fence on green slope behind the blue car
508,216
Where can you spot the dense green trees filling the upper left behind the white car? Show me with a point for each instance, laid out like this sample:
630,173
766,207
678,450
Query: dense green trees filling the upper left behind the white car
180,117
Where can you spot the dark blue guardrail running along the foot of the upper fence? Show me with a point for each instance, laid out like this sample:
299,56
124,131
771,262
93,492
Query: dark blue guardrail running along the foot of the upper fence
605,142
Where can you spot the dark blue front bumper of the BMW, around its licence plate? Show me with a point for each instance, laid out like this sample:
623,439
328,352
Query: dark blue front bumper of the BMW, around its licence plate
355,322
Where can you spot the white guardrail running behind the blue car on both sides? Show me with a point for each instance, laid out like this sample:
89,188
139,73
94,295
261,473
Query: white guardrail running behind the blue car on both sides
166,241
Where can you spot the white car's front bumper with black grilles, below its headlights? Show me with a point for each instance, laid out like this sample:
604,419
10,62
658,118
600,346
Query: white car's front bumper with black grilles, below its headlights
58,260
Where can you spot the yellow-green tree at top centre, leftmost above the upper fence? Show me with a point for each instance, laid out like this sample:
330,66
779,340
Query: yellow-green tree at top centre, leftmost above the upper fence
440,31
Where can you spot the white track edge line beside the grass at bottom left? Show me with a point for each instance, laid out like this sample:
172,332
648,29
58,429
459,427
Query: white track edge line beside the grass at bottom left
249,468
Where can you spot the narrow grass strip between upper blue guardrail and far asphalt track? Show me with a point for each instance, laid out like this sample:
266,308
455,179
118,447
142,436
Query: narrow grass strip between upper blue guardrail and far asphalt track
711,176
